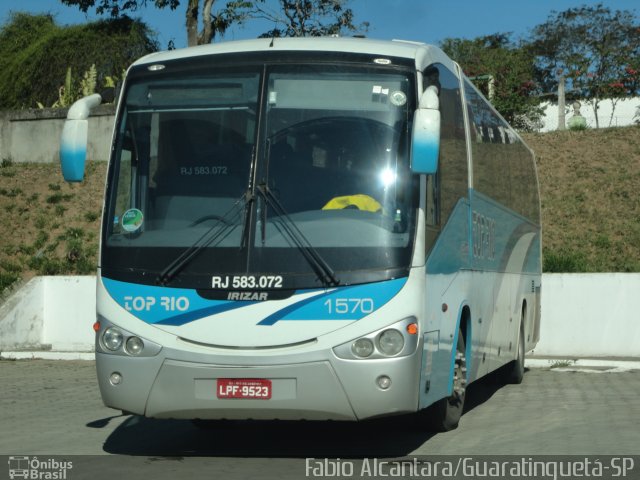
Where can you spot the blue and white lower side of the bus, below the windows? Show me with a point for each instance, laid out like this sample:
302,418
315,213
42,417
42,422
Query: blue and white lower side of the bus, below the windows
487,258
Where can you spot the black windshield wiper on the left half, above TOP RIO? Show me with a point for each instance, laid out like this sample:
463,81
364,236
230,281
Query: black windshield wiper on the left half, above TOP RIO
219,230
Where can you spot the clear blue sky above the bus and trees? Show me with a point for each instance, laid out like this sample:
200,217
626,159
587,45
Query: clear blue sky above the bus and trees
426,21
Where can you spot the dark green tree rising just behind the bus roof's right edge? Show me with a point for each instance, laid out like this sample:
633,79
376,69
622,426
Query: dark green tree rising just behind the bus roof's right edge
504,72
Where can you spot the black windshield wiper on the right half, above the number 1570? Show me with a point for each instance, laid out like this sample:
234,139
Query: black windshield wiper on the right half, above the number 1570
325,273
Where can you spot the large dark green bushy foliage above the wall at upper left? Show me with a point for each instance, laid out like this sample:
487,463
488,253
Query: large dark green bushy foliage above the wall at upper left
36,56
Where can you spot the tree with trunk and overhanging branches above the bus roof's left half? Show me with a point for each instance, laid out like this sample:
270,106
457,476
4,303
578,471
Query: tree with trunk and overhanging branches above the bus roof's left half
295,18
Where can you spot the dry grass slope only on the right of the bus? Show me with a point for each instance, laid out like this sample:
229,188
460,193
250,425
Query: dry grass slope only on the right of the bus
590,191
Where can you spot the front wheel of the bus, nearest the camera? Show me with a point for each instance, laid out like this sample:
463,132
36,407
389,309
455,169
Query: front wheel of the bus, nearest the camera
444,415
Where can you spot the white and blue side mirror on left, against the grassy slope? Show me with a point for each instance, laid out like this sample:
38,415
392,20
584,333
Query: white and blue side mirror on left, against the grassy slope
73,142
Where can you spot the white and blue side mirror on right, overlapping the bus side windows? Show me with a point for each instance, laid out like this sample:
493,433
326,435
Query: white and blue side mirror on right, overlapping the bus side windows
425,137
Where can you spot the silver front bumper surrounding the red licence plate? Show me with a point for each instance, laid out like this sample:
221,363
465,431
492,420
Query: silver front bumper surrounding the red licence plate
321,389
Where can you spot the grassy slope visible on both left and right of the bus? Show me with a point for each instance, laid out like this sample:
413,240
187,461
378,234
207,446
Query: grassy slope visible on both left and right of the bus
589,182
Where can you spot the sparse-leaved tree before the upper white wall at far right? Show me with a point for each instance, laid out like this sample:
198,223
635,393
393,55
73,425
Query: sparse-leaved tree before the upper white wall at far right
595,49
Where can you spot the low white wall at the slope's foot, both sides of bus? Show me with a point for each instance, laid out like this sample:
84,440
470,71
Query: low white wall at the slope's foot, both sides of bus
583,315
